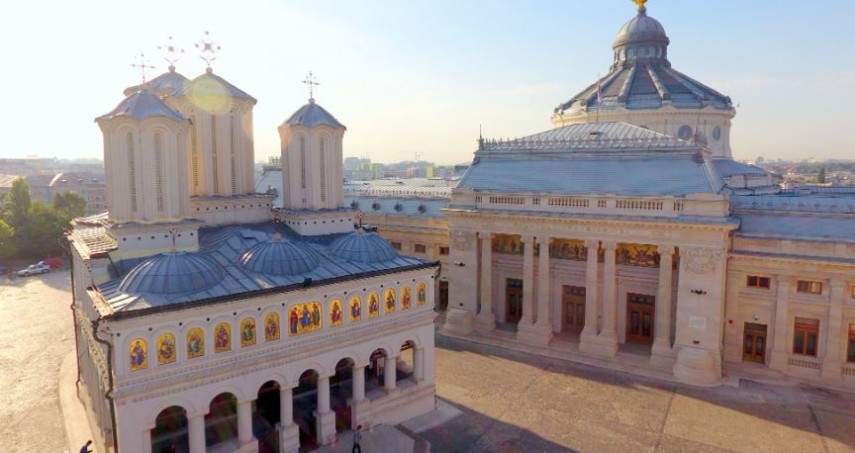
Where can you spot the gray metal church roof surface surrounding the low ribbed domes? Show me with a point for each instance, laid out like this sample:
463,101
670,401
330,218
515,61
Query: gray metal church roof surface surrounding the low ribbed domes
223,248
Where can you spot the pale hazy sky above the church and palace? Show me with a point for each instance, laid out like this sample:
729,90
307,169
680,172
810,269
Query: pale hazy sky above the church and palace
421,77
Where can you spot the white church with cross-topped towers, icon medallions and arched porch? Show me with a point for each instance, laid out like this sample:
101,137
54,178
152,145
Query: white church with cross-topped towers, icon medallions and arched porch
205,320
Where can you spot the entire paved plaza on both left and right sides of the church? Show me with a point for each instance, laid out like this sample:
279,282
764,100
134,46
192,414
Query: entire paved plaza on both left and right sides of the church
510,401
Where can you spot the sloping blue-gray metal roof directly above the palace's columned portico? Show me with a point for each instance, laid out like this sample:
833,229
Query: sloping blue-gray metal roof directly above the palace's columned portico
602,158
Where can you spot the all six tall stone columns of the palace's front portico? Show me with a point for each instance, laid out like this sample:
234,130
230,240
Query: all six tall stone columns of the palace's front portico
600,333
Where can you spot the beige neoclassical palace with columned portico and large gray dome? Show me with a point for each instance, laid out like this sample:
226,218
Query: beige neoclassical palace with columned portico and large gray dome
628,234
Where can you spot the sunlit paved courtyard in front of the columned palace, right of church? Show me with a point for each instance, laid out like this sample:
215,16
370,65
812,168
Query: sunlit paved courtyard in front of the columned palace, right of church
516,402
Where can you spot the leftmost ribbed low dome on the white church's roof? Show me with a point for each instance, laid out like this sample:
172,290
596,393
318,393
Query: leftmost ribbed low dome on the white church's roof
171,273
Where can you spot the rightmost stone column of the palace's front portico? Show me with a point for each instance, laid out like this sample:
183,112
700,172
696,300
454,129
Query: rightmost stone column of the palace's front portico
661,351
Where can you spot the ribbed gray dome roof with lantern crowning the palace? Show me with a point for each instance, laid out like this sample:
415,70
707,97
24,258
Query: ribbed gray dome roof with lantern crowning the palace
641,76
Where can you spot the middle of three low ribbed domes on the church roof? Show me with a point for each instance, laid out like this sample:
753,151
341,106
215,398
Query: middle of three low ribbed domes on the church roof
279,257
